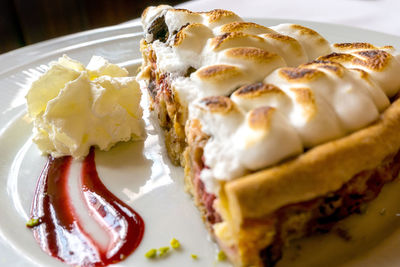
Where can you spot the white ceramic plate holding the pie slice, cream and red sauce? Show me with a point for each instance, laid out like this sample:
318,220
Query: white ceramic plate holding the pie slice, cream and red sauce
141,174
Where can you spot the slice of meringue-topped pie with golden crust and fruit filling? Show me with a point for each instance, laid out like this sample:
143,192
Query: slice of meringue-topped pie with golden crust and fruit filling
281,133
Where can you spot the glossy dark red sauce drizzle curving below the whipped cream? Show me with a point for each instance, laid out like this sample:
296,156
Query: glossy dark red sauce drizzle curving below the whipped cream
59,231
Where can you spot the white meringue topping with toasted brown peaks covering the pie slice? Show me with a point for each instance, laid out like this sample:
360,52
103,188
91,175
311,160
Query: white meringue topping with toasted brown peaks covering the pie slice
315,102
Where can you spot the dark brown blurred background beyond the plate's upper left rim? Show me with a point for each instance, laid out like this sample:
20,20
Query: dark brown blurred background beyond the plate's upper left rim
24,22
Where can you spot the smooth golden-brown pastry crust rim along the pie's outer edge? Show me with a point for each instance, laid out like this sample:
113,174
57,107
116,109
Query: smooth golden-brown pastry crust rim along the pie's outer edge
317,172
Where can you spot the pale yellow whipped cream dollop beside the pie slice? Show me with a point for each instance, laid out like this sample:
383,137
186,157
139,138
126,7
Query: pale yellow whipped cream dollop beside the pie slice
74,107
